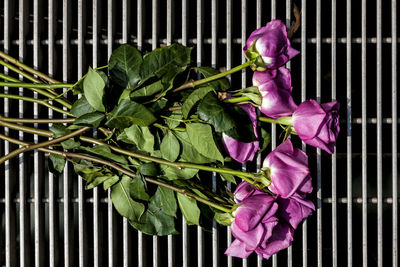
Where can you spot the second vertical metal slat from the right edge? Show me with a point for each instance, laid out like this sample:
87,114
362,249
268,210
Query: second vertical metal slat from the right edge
379,127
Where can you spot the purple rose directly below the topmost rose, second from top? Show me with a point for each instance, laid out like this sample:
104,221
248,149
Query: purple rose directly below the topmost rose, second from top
275,86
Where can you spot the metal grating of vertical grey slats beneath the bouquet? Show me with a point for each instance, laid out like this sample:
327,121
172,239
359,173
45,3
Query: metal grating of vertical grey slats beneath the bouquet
348,52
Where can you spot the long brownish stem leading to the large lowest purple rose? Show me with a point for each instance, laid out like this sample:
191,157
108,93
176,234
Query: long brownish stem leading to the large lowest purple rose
118,168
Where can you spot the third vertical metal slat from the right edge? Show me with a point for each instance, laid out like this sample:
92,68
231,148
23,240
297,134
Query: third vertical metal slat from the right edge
364,129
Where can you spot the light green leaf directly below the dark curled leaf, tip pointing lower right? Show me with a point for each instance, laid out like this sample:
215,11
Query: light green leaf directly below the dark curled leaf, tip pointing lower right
202,139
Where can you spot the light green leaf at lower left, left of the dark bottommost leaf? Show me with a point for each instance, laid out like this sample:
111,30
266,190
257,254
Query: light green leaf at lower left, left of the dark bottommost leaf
123,202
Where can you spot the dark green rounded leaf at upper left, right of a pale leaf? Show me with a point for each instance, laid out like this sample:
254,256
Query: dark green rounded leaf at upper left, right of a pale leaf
124,66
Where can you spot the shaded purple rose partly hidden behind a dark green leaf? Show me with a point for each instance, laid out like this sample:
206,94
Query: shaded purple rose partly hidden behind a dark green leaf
241,151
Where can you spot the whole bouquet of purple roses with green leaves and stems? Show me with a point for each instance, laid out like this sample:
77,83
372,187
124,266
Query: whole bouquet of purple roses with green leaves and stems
159,131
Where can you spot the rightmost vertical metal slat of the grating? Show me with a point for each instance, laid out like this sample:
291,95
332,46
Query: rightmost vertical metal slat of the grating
394,138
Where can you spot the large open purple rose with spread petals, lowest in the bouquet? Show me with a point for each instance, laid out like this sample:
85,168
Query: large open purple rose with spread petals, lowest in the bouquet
264,223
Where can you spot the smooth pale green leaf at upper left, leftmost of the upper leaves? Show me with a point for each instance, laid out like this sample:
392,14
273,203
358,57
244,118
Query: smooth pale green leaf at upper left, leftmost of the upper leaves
93,87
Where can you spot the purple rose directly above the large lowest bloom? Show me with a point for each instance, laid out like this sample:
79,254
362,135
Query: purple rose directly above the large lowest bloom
288,170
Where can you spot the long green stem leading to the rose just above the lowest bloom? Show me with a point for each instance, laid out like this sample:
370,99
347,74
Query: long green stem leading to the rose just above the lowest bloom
178,165
